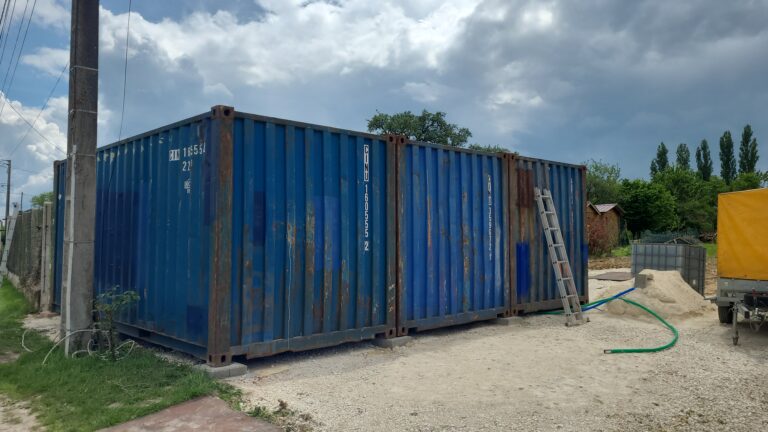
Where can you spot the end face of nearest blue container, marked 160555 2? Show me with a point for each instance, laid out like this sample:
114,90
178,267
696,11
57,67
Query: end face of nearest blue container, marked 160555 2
310,237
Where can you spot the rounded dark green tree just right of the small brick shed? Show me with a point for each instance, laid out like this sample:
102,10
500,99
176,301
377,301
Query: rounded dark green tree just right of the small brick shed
647,206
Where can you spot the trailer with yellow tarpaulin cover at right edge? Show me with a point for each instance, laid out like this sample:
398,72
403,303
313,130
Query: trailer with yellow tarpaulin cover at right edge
742,258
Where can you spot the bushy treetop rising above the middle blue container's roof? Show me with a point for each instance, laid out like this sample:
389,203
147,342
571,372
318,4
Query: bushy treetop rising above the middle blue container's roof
426,127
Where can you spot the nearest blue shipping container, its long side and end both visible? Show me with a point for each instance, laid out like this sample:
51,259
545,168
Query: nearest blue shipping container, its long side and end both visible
246,235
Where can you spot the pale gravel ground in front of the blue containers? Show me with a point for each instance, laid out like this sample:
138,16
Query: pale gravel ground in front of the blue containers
533,375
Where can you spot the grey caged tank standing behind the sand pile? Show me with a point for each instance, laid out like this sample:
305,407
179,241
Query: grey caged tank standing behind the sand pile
688,260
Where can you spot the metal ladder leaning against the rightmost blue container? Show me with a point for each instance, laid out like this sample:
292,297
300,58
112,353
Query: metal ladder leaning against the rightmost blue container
559,258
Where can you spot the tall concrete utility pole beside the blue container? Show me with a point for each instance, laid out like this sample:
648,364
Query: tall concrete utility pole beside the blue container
79,218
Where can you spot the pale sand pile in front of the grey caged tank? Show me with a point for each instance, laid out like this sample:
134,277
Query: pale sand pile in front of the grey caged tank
666,293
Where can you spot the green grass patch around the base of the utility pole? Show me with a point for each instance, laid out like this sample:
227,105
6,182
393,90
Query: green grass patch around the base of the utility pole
89,393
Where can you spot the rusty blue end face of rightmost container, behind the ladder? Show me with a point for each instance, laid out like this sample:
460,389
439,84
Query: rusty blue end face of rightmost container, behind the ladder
534,286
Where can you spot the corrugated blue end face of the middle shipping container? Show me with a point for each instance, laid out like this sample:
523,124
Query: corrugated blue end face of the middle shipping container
452,237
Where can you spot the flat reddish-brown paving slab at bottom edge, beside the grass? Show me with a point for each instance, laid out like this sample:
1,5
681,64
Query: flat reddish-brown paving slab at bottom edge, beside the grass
203,414
